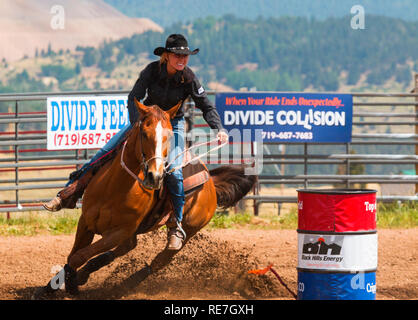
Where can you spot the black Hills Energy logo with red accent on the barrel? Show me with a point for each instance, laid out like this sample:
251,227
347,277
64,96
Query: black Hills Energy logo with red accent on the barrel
322,248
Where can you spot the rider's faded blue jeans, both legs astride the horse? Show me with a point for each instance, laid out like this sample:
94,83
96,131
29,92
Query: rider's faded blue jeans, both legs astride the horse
174,180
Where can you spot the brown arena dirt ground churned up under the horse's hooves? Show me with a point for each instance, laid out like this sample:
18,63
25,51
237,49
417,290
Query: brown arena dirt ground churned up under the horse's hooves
213,266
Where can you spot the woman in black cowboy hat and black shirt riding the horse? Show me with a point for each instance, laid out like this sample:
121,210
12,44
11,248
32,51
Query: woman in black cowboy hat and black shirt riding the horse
166,82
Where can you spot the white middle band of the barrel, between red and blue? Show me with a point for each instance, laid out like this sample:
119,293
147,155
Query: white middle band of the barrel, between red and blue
337,252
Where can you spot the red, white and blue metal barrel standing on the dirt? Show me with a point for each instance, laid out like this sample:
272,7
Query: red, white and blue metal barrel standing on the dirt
337,244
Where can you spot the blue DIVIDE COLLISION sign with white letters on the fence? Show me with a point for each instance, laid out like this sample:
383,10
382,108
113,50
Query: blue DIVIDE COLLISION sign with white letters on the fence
288,117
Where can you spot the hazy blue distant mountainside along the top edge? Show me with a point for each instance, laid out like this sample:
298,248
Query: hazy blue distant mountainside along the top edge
167,12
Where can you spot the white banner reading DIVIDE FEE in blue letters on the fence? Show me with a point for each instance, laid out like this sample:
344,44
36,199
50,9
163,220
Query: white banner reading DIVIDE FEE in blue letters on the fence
86,122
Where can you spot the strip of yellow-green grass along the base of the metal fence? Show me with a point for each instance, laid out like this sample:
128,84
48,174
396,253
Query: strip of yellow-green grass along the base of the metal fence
390,215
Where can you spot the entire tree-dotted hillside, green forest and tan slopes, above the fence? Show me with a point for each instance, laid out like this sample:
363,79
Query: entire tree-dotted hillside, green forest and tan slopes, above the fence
294,54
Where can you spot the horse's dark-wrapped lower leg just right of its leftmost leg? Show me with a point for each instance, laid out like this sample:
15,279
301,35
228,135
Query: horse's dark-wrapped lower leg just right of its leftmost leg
104,259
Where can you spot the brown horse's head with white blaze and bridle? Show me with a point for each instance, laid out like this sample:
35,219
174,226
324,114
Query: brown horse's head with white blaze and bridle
155,135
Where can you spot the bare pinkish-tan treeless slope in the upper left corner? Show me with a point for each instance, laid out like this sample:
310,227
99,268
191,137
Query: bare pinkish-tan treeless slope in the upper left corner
27,26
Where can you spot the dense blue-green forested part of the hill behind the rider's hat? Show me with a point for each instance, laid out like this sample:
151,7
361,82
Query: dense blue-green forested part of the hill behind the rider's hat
293,53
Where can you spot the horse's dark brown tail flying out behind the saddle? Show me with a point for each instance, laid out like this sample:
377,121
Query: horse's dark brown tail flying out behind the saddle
231,184
